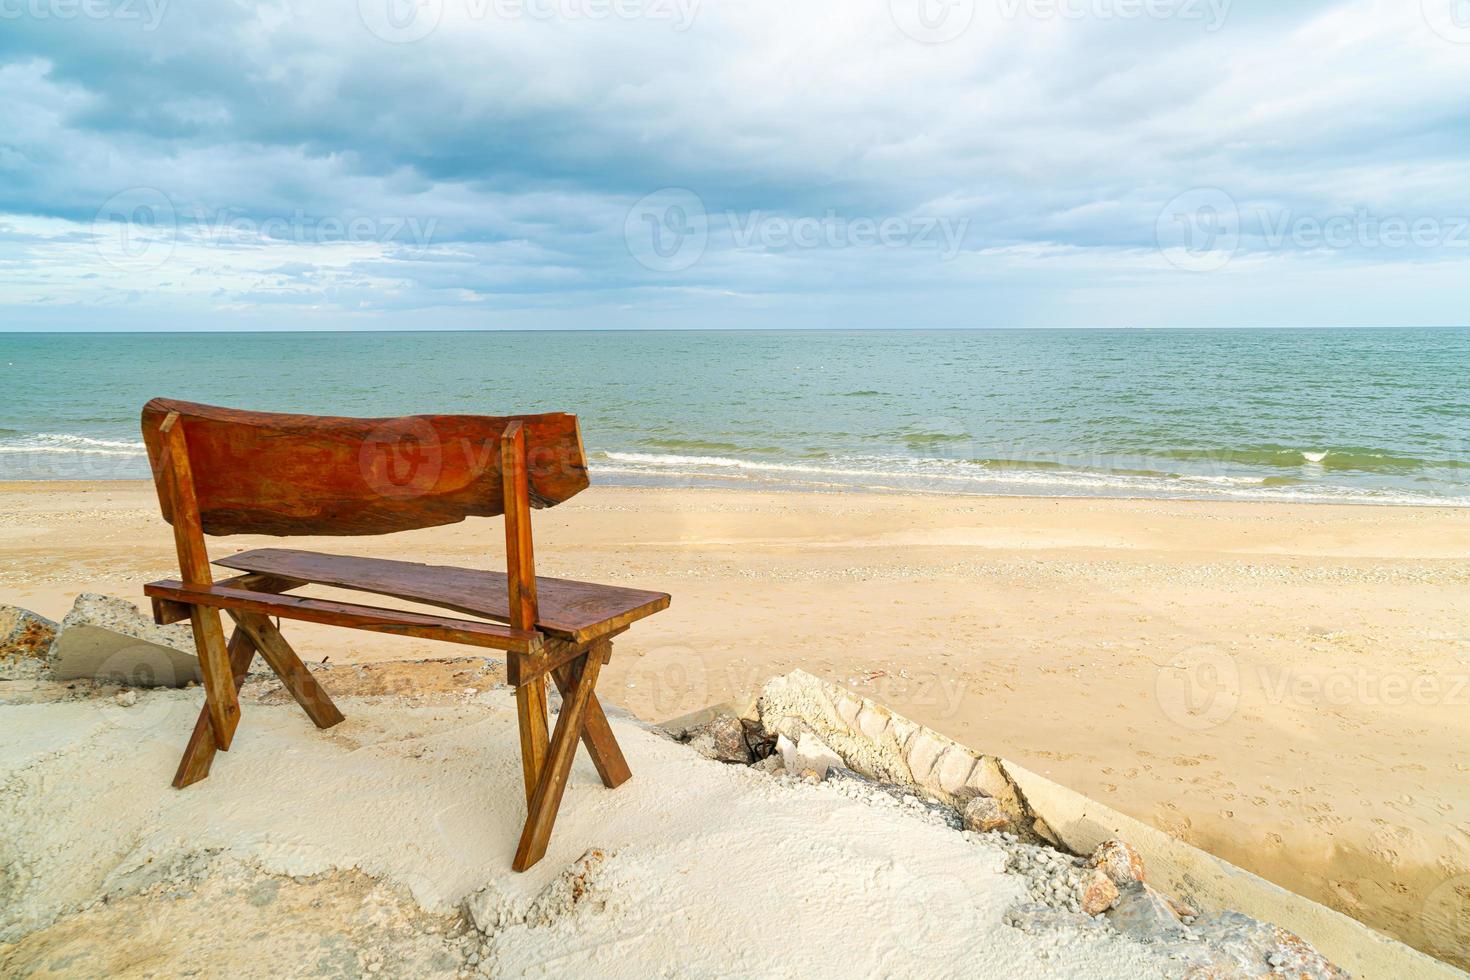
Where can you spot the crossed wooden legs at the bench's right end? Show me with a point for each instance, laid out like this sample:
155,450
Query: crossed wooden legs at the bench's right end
581,719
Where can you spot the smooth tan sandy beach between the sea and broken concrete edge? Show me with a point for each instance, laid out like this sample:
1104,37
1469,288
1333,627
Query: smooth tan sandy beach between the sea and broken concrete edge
1283,685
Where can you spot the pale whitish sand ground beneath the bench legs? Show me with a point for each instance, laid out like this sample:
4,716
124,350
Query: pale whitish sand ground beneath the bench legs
711,871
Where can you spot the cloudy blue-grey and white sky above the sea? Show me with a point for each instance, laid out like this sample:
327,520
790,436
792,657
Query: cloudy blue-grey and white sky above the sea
727,164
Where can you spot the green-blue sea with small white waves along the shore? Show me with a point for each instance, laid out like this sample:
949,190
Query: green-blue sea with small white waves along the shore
1313,415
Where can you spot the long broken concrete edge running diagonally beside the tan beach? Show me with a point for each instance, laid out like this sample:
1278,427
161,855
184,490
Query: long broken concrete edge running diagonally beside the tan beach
886,747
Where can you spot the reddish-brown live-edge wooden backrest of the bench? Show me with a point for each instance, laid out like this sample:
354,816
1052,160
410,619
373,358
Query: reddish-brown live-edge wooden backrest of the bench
258,472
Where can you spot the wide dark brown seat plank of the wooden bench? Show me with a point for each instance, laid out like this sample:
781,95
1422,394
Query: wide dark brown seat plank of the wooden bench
580,612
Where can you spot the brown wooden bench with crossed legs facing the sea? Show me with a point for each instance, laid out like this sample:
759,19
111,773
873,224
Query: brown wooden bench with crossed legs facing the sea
227,472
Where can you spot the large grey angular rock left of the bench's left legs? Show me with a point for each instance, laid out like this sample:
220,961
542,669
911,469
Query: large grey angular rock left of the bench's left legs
108,640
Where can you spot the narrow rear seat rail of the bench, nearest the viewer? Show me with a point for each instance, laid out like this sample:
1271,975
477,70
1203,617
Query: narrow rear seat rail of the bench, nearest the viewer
368,618
